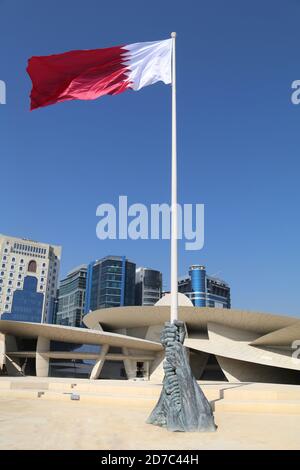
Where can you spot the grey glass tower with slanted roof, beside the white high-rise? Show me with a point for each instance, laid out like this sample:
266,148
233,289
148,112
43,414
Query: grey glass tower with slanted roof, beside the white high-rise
71,298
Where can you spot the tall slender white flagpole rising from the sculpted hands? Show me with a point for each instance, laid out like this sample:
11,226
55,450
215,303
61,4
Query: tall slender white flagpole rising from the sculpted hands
174,230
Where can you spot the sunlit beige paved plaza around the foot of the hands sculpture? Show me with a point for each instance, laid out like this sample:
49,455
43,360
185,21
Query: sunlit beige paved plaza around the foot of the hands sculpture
40,414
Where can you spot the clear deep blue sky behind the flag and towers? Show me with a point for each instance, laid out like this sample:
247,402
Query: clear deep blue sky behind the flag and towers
238,137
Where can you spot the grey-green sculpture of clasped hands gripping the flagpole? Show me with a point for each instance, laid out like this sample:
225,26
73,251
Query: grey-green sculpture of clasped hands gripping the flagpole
182,405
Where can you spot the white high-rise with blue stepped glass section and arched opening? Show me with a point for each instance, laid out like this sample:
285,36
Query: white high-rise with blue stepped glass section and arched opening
28,279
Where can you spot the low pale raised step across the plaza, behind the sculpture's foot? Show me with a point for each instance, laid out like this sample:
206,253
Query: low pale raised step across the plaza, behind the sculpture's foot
256,398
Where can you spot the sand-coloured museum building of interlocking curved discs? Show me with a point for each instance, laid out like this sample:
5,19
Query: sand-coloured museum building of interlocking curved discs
124,343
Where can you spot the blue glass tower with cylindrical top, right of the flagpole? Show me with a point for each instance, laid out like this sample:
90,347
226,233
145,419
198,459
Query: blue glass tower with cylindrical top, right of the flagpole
204,290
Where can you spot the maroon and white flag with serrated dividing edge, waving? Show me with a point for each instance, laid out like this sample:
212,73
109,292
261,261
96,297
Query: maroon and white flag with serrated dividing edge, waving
89,74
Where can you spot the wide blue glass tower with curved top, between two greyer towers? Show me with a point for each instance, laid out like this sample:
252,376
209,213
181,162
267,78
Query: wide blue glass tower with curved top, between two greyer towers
110,283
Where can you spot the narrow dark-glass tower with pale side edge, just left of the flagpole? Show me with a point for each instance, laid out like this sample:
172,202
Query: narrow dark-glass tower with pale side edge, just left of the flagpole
148,286
